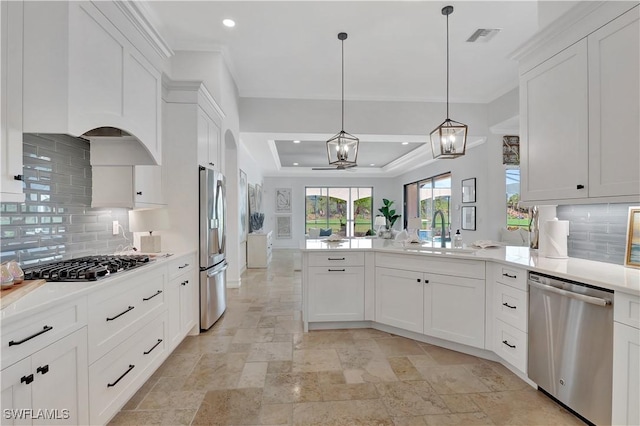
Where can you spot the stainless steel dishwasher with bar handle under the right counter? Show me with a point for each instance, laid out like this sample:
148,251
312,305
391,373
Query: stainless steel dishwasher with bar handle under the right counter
571,344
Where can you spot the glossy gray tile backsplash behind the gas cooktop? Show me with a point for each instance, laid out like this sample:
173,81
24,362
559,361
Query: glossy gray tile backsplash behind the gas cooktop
56,220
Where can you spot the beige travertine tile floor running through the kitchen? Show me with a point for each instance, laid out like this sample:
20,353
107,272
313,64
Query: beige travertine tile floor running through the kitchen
257,367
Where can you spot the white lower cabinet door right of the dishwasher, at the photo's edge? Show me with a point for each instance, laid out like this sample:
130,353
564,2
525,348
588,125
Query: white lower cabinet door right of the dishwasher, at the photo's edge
626,360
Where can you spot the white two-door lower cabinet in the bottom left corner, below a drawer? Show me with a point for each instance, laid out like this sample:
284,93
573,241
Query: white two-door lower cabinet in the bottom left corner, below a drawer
50,387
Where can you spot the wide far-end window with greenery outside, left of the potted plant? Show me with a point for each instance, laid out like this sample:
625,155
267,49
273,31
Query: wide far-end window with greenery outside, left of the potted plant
347,211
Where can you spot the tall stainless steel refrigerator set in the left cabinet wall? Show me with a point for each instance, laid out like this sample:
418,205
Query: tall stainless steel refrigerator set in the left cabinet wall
212,217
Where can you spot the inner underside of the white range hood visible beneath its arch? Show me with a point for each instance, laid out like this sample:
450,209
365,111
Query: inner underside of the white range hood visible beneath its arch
110,146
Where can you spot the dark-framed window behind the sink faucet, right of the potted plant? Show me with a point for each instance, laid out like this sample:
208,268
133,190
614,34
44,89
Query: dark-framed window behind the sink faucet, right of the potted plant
424,199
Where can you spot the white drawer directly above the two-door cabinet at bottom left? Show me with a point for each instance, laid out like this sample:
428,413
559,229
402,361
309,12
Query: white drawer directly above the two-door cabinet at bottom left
25,337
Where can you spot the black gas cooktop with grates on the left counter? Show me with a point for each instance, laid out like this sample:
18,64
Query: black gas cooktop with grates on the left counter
88,268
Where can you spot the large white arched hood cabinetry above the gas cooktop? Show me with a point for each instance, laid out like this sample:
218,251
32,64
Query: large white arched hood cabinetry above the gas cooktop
81,73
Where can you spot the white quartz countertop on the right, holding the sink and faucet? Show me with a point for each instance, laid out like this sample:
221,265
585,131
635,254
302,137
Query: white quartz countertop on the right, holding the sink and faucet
600,274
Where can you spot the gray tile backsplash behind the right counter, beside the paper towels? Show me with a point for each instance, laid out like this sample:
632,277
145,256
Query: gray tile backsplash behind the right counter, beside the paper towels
596,231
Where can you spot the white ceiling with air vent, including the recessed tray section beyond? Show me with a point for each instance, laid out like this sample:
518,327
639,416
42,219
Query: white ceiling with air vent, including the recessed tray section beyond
395,50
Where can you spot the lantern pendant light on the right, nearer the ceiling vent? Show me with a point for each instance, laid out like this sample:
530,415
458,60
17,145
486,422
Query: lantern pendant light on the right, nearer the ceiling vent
449,139
